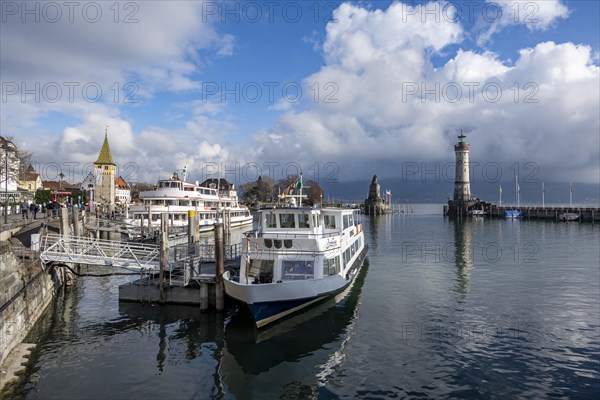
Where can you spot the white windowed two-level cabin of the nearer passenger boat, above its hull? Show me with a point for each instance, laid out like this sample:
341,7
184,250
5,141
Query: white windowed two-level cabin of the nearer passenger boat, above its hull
301,243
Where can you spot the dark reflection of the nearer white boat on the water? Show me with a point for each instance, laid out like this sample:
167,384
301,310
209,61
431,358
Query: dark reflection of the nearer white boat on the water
306,343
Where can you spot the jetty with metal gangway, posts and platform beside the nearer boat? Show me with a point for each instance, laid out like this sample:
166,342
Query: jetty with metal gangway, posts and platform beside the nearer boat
169,273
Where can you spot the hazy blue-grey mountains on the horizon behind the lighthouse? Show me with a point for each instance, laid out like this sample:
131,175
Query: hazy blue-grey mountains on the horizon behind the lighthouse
417,191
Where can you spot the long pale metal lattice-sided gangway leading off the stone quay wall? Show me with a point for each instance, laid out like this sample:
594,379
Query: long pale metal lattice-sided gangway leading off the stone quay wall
139,257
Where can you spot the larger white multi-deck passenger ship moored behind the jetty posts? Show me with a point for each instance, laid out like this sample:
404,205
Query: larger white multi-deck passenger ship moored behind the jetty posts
215,200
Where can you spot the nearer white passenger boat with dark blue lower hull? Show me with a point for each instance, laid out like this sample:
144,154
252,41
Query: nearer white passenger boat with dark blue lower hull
298,256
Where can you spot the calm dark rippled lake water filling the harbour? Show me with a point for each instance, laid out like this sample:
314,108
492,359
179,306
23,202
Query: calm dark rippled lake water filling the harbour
445,309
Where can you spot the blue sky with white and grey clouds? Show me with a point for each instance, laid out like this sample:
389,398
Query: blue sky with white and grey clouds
342,90
